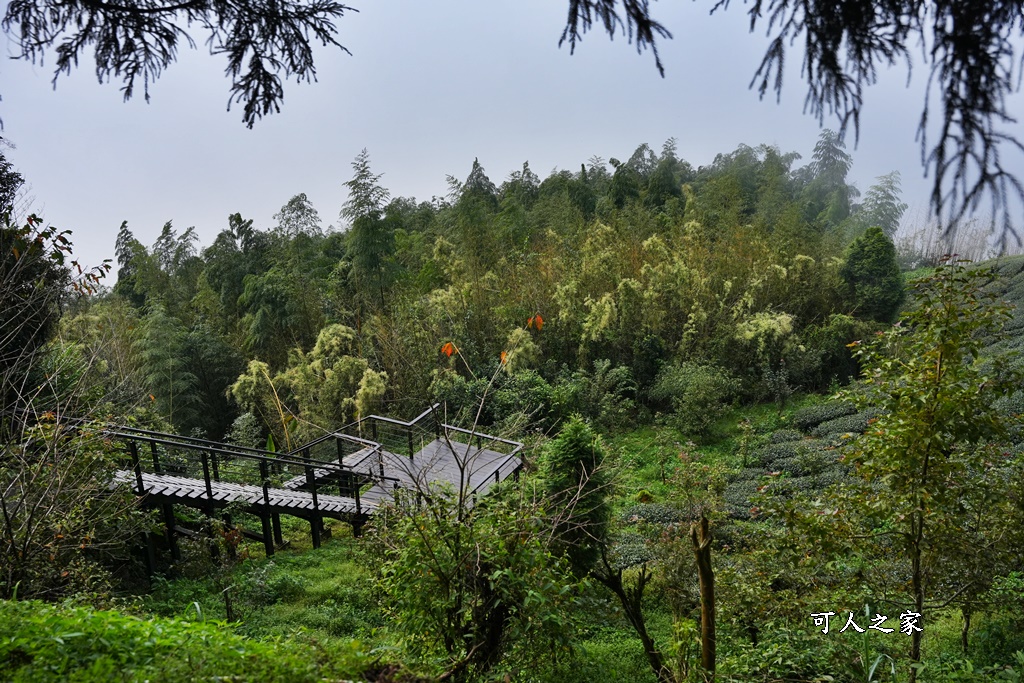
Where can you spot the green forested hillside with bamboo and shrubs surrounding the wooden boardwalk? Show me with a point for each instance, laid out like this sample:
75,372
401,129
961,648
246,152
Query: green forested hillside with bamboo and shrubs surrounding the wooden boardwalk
746,413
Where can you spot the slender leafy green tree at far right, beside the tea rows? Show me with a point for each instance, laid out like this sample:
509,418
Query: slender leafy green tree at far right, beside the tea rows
923,462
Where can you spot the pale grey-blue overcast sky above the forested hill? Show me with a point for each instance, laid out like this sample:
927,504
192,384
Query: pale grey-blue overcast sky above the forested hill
430,88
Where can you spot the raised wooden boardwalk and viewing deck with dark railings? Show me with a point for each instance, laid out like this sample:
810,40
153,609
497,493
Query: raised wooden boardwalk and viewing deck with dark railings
340,476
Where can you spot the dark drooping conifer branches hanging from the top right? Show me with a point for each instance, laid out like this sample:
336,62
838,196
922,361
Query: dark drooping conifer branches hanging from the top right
971,51
